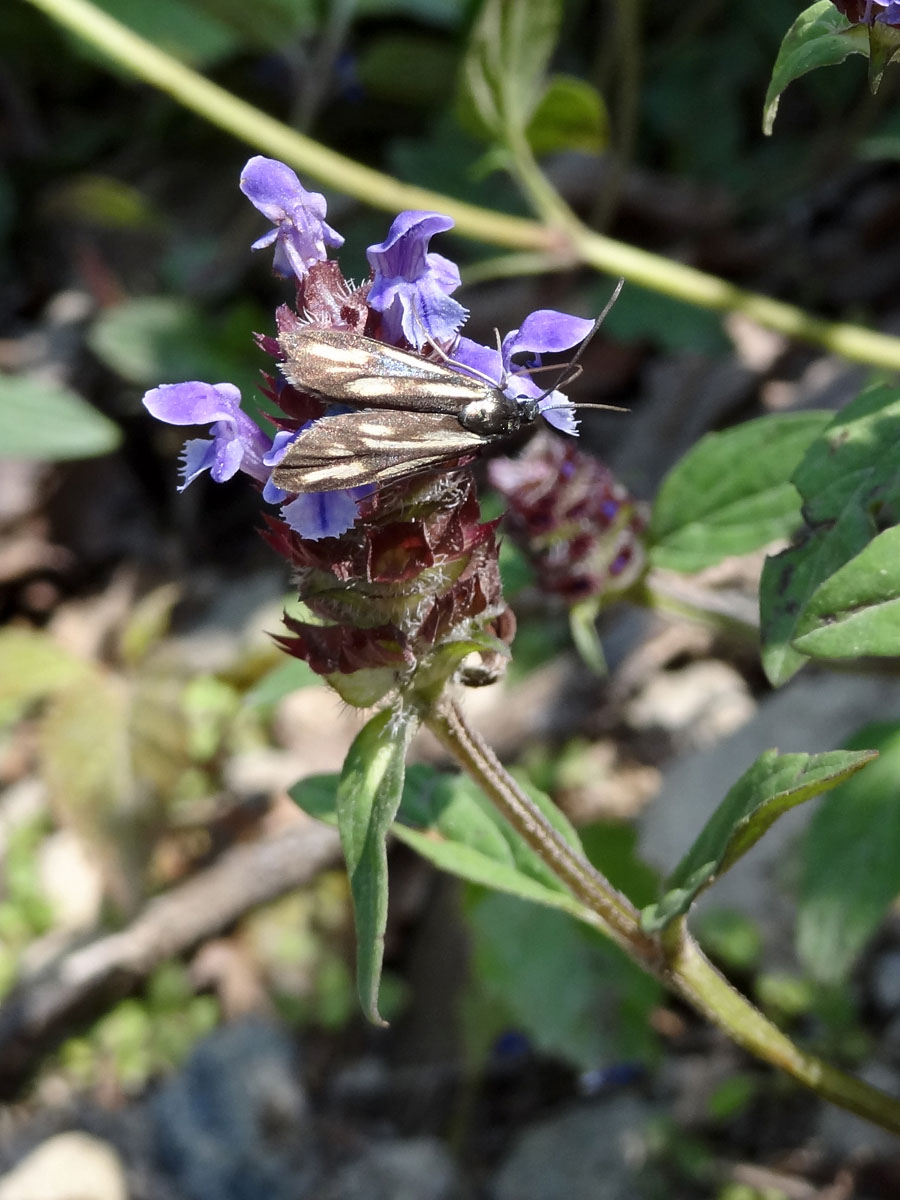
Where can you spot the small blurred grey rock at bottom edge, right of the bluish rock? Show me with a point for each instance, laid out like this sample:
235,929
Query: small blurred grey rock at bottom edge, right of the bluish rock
418,1169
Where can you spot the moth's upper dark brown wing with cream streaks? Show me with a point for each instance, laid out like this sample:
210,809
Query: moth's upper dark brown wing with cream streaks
357,370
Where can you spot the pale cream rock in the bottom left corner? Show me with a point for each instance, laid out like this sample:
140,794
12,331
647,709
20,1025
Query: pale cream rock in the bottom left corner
69,1167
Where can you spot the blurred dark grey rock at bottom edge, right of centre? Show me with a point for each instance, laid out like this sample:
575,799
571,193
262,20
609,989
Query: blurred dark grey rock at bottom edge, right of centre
591,1153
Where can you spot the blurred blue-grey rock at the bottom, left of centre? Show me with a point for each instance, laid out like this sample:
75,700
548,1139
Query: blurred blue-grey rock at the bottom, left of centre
233,1125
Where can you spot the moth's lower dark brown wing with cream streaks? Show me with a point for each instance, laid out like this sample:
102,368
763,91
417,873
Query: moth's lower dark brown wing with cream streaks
371,448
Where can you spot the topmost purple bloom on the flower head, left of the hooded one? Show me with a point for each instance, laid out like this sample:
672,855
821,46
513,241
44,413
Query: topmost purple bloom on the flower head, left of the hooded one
301,232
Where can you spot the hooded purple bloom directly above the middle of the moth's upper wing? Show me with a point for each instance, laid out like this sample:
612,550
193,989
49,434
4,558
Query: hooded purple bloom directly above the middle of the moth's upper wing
412,287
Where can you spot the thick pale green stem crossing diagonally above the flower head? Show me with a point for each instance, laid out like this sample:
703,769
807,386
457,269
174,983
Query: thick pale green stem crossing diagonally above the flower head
149,63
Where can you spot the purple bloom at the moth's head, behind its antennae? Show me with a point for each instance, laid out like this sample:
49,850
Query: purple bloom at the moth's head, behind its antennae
544,332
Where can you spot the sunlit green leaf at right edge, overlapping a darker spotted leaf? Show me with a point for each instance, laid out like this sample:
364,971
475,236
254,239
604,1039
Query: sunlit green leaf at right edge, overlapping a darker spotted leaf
857,610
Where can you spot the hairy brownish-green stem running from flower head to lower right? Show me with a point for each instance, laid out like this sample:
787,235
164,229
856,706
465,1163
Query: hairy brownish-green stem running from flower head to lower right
674,958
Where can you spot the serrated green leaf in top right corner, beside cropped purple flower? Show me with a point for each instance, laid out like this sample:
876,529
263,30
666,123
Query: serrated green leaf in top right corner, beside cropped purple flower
820,38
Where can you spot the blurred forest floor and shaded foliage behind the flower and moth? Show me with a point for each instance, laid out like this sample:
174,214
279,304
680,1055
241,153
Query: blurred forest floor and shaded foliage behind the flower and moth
179,1017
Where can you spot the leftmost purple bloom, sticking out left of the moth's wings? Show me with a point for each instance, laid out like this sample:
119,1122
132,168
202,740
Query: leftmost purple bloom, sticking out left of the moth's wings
237,443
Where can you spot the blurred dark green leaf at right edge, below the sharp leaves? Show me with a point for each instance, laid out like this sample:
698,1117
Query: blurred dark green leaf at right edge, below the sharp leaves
851,862
